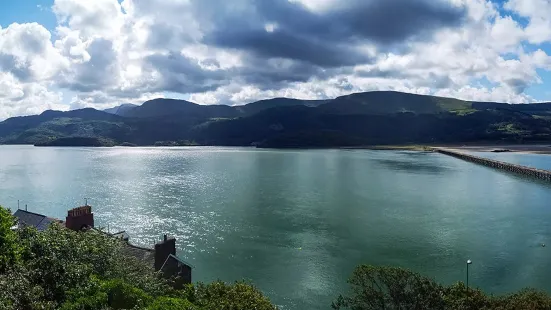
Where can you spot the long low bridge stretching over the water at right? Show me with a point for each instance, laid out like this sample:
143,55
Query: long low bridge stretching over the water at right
508,167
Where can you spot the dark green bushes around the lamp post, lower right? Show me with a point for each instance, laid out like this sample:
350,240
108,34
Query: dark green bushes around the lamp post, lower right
397,288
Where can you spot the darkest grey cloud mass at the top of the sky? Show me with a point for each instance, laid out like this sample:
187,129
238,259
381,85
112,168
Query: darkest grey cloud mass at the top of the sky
327,39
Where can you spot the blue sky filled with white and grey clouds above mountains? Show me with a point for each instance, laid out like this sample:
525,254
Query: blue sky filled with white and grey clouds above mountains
70,54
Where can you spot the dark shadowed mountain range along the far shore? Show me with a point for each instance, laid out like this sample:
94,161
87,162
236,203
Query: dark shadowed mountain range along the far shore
381,117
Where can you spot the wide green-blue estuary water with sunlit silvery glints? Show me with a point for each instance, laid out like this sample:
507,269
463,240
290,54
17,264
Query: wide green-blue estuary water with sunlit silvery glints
297,222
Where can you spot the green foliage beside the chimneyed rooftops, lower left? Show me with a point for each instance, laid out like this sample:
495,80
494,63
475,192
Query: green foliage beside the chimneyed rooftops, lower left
62,269
